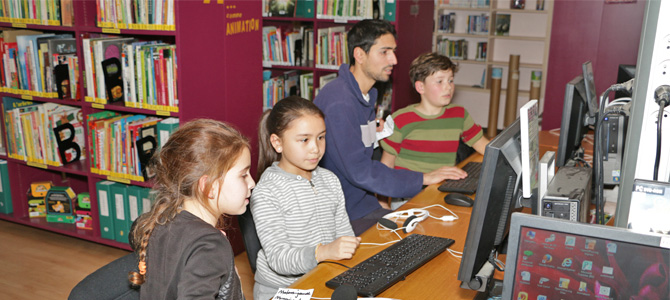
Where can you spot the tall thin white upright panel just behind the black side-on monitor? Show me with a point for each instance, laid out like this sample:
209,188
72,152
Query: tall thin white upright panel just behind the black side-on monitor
530,147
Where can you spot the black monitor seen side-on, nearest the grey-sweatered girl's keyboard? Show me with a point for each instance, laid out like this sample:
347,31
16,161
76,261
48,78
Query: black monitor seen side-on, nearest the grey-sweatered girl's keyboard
498,195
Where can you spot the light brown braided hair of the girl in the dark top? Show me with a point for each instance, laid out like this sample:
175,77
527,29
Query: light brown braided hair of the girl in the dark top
198,148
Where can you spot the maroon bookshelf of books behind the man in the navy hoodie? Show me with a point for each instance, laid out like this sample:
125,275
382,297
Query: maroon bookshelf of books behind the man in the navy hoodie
304,44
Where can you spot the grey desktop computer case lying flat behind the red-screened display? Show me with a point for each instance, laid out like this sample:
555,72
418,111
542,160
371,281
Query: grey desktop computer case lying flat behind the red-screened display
568,195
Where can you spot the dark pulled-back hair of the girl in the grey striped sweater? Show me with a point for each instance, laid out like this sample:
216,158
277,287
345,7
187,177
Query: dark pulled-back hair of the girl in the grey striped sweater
276,121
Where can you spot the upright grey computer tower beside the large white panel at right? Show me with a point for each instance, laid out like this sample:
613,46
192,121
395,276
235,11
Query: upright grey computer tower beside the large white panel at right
613,137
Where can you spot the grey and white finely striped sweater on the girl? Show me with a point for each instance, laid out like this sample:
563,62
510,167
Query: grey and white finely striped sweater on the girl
292,216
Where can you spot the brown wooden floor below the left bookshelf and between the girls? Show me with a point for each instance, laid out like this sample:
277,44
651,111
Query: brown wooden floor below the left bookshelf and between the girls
39,264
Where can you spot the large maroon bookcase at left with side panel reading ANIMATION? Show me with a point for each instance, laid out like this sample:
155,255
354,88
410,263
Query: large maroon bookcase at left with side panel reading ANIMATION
90,90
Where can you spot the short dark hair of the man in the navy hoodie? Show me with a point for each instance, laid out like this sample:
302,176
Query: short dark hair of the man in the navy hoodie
364,34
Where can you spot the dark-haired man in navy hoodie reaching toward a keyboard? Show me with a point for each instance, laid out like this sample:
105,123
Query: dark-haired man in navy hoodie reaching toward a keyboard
348,103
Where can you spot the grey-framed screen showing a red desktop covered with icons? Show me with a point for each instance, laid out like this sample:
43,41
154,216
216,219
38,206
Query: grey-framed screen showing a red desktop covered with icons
558,259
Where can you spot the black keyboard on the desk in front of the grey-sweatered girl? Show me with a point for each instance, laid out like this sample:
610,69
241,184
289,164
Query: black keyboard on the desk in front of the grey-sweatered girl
377,273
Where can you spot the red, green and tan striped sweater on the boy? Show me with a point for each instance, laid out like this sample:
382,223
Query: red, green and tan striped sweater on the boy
424,143
